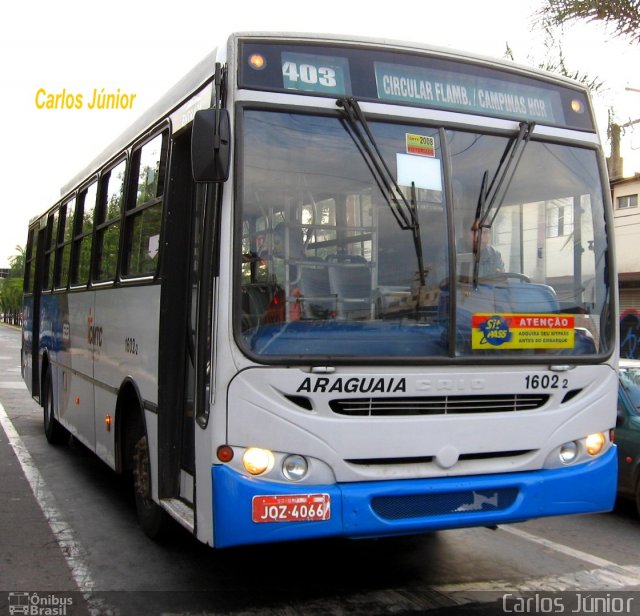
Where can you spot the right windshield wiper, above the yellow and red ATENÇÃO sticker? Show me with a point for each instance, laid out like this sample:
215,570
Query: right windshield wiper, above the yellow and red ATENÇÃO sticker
491,197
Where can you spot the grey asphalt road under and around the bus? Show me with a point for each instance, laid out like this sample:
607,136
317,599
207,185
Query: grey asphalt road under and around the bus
70,544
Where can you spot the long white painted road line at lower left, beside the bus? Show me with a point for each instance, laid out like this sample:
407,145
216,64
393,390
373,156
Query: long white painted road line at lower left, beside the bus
72,550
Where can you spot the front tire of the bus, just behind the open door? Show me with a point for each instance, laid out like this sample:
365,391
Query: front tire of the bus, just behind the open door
153,519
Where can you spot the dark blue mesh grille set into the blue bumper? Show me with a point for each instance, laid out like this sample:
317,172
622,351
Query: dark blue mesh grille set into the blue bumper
424,505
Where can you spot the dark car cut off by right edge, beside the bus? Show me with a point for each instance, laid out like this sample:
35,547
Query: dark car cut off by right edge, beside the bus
628,431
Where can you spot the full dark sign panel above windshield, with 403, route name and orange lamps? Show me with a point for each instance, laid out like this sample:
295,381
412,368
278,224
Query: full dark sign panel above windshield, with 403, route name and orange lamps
402,78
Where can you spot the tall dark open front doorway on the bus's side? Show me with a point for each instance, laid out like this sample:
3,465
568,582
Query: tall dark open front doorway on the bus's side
177,344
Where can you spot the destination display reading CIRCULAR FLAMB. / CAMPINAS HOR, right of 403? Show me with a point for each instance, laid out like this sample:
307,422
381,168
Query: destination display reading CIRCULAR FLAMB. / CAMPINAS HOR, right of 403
463,92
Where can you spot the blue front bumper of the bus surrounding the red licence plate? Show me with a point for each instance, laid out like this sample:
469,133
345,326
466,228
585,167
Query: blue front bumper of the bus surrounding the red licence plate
412,506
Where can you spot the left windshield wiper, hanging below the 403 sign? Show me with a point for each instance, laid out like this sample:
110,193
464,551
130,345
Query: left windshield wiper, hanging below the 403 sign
405,213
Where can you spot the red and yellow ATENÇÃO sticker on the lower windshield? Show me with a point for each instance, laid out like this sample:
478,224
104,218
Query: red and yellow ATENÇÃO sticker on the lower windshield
522,331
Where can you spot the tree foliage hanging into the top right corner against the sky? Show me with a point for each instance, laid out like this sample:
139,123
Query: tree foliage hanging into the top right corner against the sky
623,16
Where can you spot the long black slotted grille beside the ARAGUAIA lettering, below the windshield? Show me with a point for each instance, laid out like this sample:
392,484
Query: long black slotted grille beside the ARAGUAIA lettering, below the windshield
438,405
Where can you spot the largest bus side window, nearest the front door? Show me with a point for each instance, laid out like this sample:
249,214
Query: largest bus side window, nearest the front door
144,216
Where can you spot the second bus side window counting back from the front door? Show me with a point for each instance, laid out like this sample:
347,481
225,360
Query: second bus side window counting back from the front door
108,222
